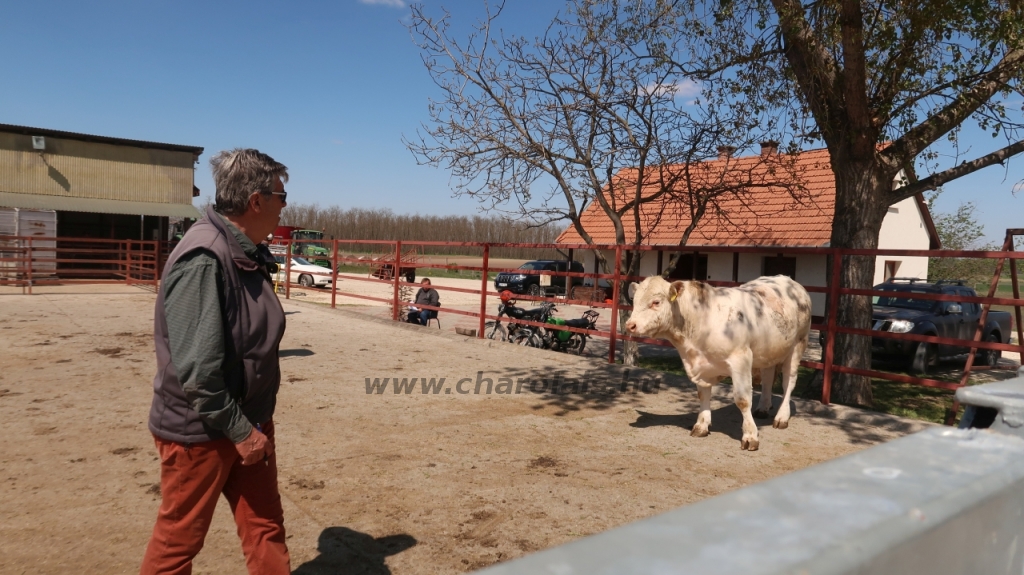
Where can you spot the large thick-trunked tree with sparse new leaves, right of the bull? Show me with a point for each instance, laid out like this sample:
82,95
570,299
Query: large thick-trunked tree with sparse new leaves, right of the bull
882,82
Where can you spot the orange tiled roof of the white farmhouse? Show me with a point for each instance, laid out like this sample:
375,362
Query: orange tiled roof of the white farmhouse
759,216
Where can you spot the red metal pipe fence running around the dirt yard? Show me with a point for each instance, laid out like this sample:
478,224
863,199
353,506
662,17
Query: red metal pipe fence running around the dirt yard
29,262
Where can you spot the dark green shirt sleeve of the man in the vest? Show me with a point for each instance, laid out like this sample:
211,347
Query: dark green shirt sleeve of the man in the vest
195,327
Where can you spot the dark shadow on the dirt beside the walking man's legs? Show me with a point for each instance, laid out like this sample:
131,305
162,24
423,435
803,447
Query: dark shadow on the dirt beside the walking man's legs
345,552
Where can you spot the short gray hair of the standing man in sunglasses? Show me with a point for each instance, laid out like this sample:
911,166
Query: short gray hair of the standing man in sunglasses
241,172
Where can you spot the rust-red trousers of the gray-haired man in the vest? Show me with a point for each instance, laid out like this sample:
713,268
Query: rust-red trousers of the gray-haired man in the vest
192,480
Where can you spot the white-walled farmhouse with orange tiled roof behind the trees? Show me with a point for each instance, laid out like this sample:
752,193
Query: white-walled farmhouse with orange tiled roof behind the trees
765,216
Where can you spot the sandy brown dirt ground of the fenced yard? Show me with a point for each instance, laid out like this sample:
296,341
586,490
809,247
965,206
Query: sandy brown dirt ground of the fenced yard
373,483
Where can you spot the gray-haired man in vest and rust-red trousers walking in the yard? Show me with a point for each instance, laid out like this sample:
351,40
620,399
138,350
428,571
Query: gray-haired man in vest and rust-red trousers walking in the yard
219,326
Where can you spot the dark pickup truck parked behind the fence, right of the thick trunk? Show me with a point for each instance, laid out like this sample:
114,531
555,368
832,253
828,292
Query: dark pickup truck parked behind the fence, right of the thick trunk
902,313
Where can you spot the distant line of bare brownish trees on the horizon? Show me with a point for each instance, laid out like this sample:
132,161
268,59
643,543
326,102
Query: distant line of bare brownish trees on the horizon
359,224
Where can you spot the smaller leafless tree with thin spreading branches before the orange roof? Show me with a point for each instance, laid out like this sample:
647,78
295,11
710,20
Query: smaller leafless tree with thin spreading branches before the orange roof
579,114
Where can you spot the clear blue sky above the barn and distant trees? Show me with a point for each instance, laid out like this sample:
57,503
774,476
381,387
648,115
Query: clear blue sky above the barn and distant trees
328,89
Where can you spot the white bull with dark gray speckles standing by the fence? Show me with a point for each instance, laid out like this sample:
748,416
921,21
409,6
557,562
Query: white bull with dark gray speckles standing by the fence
730,332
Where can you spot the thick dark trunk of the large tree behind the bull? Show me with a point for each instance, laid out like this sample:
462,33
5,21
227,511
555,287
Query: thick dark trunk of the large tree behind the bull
861,207
